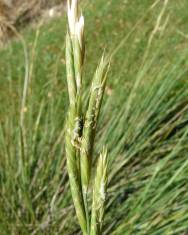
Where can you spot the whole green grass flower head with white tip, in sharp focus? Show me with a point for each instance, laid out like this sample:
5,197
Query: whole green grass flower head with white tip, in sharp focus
81,128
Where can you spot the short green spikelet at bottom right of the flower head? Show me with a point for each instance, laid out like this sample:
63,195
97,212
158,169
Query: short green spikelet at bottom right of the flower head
99,194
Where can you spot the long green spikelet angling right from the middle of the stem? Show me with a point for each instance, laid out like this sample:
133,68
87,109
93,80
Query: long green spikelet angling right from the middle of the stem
96,96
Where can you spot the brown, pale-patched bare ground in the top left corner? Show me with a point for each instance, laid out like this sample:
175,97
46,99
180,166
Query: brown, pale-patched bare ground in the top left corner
17,13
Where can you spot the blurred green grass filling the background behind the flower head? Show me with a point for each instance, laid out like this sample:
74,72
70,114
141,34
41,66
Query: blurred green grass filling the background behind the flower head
143,121
